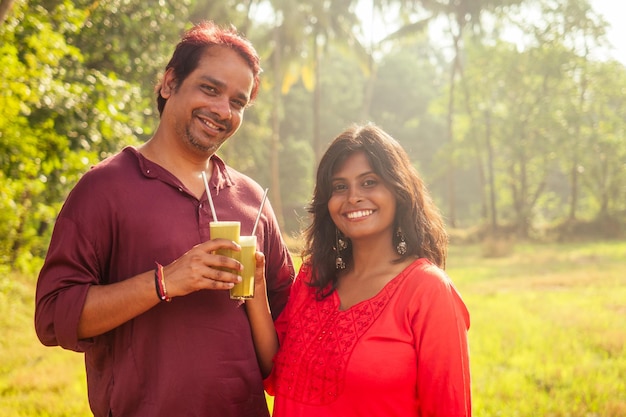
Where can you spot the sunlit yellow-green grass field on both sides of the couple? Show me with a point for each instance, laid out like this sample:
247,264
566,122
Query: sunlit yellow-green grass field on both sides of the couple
548,336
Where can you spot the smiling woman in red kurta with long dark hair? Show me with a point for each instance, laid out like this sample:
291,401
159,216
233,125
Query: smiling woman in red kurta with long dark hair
373,326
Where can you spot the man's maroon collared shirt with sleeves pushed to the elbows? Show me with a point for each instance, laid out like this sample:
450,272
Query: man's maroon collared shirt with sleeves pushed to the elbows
193,356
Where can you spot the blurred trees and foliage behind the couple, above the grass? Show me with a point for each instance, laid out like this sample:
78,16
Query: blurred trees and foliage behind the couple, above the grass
521,139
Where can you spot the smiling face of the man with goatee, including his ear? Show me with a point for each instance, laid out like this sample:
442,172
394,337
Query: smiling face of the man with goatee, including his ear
207,108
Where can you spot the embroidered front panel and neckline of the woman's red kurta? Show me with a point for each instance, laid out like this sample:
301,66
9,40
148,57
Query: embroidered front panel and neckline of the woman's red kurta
311,364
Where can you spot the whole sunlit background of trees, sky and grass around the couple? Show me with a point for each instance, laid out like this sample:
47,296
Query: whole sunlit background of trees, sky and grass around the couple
513,111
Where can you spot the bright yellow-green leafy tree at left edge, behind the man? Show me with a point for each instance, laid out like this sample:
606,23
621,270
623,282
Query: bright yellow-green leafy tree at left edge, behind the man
60,117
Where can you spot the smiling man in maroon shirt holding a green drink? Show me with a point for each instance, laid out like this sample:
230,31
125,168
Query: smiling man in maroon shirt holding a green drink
102,287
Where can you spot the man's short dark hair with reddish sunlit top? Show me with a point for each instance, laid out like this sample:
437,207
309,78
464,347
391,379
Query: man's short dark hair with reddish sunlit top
198,39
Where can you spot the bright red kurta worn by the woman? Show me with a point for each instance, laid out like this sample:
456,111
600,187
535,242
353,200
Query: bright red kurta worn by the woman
401,353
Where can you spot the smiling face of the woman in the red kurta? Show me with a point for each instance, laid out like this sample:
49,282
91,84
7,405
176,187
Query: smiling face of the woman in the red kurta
361,204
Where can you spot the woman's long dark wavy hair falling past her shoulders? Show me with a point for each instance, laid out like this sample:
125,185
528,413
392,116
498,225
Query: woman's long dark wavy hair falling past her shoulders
420,220
